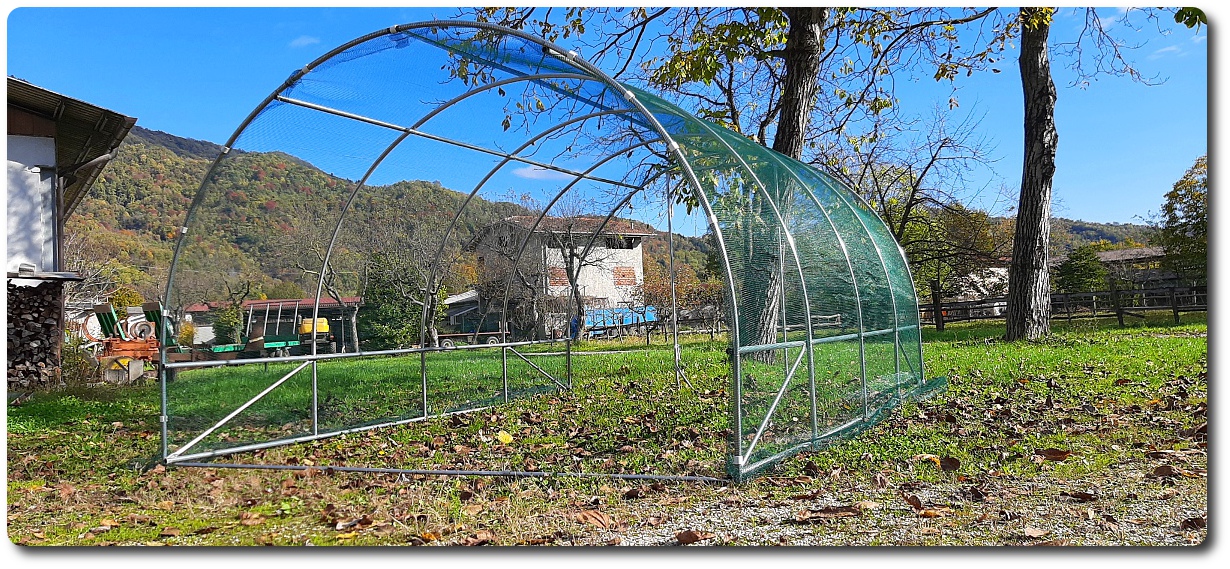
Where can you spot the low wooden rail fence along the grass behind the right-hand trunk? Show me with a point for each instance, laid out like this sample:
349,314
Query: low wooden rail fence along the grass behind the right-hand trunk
1119,304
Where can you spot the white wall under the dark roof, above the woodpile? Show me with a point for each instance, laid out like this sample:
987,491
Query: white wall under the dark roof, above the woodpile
31,198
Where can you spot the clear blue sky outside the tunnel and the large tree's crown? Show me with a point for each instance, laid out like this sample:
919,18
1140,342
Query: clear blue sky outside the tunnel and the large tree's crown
199,72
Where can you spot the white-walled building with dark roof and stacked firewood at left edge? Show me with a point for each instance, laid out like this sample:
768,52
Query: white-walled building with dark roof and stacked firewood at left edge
57,148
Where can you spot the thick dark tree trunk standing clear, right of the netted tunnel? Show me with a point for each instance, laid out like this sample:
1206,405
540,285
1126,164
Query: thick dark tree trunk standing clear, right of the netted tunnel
1029,298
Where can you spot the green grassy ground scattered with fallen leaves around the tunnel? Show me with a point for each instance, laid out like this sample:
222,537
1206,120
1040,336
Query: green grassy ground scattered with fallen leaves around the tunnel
1093,437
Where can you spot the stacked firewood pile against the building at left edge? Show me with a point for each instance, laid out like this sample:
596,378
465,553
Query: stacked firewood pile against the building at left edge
35,336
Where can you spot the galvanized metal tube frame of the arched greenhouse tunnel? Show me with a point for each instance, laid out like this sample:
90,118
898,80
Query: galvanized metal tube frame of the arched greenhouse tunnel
740,464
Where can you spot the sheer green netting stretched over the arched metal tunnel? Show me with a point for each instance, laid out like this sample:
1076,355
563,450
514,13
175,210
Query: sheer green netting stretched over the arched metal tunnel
537,184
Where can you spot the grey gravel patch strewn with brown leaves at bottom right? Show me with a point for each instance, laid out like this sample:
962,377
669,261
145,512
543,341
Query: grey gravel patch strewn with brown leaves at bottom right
1136,511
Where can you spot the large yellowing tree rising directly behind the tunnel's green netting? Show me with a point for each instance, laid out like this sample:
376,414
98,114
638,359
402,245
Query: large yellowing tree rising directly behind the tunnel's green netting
793,79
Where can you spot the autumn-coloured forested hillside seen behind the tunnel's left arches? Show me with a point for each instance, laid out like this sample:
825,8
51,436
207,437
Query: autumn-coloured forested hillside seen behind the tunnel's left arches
269,223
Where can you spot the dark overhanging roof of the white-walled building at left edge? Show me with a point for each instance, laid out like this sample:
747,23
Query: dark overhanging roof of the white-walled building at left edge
83,133
